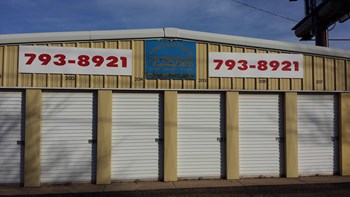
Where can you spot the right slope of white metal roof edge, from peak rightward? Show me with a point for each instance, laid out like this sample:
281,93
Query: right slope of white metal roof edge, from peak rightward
254,42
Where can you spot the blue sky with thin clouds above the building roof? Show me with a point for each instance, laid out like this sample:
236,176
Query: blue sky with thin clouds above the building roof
216,16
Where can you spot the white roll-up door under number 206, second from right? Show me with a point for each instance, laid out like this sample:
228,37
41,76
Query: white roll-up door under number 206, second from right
260,135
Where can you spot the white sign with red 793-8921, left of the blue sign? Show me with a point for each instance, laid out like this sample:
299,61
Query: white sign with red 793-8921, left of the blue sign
70,60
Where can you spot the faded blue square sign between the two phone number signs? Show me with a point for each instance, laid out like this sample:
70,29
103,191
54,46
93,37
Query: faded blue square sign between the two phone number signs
165,59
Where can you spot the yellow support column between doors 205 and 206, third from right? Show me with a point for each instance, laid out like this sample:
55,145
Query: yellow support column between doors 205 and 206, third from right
232,146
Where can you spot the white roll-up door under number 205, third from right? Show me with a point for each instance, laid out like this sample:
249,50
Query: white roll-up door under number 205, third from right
200,136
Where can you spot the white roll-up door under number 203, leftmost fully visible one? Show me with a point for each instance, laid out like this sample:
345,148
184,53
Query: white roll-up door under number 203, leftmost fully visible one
67,132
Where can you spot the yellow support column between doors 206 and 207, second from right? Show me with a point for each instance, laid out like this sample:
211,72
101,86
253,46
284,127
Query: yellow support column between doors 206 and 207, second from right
291,134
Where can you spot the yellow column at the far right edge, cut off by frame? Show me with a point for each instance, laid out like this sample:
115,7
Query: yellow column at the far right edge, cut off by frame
344,134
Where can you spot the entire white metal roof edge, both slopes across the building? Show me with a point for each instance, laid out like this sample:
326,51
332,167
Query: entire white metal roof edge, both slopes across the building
171,33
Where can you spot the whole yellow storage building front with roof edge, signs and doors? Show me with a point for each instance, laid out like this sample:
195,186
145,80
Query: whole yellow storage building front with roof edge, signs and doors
169,104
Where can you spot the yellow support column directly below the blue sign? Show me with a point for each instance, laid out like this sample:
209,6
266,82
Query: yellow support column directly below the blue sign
170,136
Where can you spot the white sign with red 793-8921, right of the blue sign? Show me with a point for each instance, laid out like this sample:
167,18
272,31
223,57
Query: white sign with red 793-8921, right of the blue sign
255,65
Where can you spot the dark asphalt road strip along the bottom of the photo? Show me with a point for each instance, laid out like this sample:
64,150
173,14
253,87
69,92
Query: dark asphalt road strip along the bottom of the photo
318,190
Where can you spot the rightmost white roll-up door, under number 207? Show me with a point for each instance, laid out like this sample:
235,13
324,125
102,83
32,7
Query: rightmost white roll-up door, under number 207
317,135
